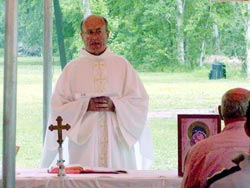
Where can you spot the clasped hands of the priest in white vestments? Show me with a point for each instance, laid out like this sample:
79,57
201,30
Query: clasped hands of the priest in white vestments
101,104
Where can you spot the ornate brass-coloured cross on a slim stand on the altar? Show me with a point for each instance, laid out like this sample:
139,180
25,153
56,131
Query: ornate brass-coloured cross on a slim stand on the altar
59,127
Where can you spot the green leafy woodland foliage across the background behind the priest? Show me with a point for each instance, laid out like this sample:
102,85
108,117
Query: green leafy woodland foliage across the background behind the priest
144,31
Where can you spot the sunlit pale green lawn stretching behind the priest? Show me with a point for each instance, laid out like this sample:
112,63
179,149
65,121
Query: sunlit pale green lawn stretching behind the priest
167,91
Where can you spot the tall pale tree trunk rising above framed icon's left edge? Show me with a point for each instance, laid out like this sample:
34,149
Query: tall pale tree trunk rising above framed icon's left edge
180,32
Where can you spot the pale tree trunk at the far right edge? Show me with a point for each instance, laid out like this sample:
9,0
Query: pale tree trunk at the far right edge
248,41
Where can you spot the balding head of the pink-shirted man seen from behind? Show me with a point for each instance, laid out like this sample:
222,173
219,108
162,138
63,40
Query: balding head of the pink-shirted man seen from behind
234,103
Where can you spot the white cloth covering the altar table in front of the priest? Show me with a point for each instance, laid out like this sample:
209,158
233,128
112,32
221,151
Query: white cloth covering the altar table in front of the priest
39,178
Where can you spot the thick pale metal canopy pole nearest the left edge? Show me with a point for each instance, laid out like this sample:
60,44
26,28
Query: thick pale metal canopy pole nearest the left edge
10,87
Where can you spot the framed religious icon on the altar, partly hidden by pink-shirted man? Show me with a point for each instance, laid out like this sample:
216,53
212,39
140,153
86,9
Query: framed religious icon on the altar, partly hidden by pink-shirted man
193,128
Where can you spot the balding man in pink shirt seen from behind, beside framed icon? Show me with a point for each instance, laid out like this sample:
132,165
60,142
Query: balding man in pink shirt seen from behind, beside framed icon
215,153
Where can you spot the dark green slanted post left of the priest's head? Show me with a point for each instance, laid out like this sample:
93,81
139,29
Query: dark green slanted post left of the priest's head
59,29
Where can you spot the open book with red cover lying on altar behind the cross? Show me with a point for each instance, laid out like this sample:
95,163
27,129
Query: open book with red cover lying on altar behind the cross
77,169
